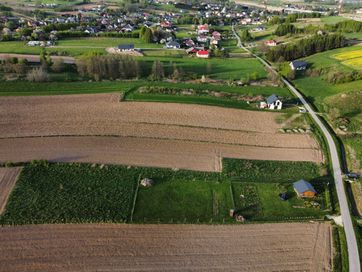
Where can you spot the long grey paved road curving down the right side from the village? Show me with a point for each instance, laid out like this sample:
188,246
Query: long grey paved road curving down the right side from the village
354,262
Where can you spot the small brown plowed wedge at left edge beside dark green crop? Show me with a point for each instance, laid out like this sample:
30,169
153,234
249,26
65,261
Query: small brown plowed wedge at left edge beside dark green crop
8,177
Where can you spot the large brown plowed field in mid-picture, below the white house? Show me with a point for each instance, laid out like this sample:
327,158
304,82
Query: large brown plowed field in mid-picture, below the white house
134,130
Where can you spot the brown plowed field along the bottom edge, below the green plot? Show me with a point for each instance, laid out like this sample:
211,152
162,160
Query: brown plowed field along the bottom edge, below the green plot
265,247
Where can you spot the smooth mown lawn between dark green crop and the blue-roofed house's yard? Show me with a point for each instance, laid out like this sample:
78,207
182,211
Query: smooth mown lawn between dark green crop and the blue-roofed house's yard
182,200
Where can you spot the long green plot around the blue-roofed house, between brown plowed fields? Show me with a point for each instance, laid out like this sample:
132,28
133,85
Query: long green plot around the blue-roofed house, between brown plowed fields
64,193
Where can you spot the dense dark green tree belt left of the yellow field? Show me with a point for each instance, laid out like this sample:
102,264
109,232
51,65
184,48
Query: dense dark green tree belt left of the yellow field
305,47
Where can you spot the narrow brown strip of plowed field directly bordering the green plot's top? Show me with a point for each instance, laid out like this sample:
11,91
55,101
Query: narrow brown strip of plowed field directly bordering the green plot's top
143,152
